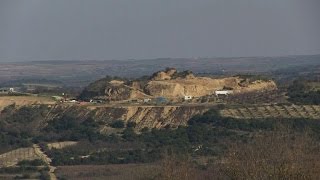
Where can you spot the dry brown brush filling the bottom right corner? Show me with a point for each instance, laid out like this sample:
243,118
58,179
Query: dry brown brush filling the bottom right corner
279,155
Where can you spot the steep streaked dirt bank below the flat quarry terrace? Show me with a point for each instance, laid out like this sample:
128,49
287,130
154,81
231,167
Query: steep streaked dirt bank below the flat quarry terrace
143,116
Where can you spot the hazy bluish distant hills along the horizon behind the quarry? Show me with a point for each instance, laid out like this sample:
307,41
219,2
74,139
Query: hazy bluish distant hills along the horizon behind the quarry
81,73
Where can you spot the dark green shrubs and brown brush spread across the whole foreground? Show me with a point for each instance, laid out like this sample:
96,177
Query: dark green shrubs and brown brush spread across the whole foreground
210,146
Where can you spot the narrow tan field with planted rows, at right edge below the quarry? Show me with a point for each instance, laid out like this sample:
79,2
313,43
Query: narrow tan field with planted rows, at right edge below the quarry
274,111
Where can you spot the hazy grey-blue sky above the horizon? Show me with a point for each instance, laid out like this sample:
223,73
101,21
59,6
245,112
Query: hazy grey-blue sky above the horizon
146,29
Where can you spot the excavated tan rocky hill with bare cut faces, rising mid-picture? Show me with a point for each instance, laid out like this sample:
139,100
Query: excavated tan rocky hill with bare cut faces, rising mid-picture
172,84
